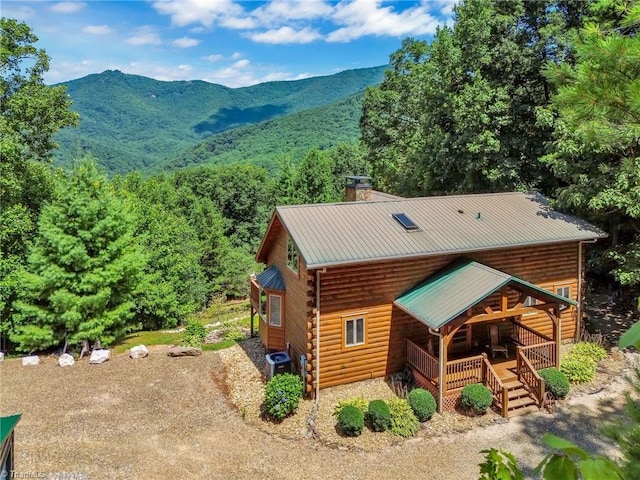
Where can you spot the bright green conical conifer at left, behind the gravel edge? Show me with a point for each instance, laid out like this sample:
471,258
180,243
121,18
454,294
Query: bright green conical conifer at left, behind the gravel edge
83,269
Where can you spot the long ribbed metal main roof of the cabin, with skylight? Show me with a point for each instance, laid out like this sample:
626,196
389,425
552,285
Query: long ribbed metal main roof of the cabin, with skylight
356,232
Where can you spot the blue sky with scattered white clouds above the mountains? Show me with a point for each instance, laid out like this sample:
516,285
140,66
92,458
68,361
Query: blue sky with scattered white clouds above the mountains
223,41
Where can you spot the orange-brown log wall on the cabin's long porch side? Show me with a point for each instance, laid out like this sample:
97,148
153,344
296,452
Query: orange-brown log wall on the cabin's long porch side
369,290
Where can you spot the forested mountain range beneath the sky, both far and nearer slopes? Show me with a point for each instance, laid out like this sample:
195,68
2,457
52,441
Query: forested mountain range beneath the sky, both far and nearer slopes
129,122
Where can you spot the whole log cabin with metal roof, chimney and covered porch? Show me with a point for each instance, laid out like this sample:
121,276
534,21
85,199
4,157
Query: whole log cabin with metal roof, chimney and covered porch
460,289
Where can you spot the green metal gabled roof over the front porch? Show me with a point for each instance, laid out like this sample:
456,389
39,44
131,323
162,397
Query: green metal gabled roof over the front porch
449,293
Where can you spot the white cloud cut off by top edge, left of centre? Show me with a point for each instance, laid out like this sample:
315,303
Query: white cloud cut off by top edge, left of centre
205,12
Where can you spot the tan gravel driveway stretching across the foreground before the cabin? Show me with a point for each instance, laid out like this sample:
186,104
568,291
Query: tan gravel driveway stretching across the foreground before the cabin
162,417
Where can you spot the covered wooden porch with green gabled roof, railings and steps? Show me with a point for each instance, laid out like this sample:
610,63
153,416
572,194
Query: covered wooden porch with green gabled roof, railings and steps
473,315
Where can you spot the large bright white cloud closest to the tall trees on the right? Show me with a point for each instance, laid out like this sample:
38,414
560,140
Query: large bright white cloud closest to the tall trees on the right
367,17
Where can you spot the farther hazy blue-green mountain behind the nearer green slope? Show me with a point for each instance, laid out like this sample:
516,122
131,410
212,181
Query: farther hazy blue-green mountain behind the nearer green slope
130,122
